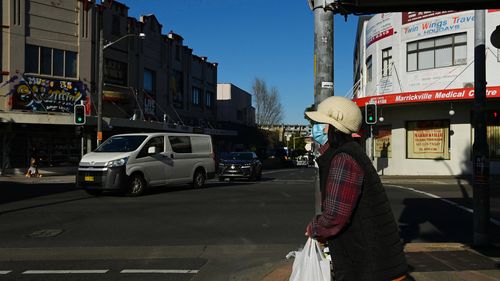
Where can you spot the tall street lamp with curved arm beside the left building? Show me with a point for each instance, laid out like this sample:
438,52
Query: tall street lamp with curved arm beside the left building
100,77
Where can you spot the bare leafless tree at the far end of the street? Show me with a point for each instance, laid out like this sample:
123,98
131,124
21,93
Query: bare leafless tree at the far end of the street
268,108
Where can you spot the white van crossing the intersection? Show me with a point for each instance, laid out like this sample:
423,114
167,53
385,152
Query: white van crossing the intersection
132,162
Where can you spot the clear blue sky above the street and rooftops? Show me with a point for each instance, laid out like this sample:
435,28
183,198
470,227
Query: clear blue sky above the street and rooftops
269,39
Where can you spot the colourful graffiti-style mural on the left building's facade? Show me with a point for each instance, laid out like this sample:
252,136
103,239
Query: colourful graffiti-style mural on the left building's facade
40,94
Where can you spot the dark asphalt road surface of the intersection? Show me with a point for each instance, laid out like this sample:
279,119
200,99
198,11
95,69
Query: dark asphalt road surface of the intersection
227,231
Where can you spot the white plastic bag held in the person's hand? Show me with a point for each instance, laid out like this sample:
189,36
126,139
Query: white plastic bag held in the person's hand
310,264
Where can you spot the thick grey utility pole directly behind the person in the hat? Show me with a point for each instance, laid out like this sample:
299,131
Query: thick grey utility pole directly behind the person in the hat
323,64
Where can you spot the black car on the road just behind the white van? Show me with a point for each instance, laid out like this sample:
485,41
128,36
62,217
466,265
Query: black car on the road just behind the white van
239,165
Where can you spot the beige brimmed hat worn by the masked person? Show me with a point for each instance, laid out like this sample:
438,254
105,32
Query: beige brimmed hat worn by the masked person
340,112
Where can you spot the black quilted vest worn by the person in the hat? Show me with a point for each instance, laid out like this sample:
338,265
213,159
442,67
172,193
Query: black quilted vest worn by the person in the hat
369,247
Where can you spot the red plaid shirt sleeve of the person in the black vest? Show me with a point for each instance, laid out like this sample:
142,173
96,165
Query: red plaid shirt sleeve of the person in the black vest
343,188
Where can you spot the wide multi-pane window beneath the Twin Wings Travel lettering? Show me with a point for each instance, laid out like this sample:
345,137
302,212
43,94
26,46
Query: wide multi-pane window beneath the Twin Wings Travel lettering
437,52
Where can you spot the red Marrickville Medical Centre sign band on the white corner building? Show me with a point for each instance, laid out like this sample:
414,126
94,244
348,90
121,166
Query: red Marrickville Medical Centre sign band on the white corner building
428,96
